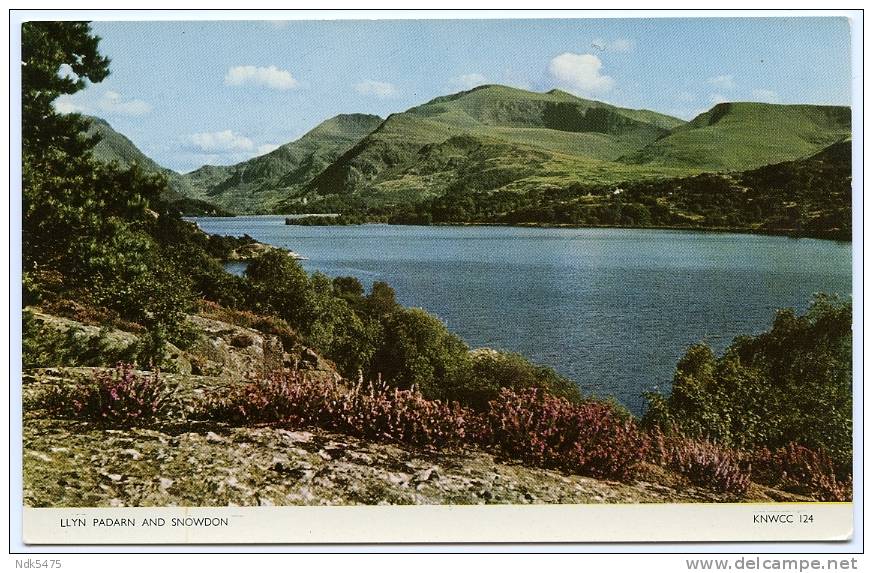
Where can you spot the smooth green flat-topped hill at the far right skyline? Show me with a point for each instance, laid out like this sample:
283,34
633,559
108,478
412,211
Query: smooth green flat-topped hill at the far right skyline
737,136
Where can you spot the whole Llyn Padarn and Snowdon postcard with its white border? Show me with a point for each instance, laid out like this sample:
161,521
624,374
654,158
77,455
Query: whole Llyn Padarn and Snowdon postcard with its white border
526,278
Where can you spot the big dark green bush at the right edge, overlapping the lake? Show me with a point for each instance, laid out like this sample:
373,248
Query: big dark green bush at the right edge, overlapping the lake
791,384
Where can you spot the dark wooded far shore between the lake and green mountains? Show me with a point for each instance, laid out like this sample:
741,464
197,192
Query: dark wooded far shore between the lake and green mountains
806,197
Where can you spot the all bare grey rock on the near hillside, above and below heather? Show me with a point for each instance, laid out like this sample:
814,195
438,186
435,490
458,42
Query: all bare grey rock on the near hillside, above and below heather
184,461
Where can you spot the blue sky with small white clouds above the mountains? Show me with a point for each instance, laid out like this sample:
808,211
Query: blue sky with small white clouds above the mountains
195,93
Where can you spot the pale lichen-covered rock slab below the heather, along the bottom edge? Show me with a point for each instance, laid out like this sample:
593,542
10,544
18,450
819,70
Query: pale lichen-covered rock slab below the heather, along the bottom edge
70,464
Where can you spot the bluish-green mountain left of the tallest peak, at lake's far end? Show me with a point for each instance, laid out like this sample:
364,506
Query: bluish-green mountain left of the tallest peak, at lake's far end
254,186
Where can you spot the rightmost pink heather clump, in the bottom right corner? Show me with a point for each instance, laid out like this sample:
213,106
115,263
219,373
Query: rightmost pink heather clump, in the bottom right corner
800,470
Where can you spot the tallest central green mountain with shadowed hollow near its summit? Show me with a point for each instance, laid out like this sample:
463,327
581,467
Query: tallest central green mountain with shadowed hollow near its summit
515,133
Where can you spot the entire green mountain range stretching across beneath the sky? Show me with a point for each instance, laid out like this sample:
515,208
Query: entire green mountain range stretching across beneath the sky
498,138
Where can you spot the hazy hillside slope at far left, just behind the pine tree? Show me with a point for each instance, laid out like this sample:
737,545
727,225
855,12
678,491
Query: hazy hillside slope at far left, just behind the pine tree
115,147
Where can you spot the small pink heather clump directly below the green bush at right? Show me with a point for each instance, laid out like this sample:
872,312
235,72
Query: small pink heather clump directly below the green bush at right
704,463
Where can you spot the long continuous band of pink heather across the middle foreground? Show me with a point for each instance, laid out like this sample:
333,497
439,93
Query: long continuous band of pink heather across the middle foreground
535,428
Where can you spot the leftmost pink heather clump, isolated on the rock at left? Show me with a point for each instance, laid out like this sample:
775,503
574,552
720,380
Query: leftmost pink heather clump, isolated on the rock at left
121,397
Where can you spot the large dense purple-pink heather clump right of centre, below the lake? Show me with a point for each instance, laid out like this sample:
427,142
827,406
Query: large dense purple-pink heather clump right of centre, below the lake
589,438
